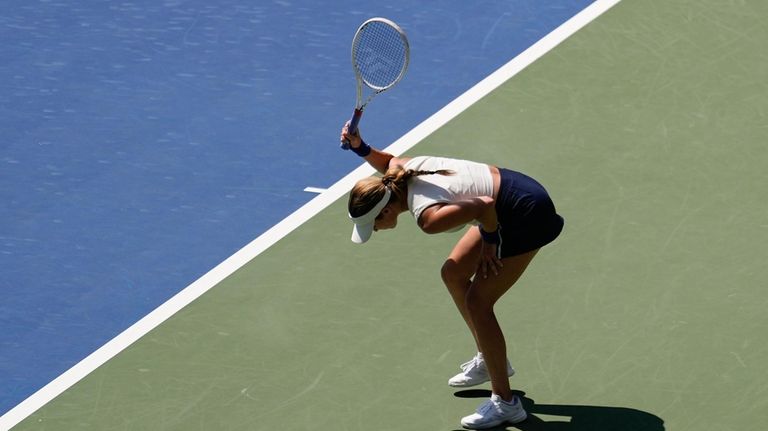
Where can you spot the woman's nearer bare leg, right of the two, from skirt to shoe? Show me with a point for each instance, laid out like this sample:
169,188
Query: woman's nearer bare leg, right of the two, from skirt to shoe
481,297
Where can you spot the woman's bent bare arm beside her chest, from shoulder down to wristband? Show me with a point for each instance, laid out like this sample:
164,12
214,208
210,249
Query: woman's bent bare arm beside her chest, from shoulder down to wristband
446,216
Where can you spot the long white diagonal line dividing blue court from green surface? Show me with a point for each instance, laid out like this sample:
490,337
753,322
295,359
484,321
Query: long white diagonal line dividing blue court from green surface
293,221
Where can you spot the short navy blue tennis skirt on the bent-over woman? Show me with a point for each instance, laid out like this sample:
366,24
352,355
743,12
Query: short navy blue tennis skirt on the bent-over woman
527,217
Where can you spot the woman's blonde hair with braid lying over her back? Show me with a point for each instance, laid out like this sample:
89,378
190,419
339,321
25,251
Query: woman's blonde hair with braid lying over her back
369,191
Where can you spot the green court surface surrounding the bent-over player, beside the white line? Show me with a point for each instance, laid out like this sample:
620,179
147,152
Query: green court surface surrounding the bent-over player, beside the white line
649,129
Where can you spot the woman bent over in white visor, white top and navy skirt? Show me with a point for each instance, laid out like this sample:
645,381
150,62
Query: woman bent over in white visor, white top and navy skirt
512,217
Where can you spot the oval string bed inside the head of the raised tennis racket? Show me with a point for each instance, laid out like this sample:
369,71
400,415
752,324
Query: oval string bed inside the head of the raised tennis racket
381,55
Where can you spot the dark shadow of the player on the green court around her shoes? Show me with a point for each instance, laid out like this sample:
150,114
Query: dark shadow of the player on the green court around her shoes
576,418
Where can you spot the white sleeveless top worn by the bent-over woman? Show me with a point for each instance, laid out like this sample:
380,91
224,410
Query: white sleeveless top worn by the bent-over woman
470,180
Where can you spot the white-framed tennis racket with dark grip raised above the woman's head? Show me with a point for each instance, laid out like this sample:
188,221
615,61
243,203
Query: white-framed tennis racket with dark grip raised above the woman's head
380,54
